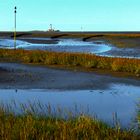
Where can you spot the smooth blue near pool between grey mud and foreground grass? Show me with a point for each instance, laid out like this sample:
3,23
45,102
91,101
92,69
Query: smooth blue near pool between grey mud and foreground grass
120,99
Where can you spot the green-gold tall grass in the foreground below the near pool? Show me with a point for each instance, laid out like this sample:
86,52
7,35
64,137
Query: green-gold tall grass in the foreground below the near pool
32,125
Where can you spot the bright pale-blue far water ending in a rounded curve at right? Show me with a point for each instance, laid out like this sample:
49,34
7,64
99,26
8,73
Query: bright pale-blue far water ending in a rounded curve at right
68,45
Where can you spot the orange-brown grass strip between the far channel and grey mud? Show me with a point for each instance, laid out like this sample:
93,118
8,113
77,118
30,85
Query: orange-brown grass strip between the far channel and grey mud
89,61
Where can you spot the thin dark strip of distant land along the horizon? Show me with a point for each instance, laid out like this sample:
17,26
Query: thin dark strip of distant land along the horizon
46,33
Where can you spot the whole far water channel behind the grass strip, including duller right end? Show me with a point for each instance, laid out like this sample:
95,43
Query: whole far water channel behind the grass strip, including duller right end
74,45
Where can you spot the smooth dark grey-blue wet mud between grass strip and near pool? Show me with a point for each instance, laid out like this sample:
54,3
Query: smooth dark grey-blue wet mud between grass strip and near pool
20,76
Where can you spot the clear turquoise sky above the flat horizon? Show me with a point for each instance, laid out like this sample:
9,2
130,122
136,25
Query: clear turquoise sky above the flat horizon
71,15
